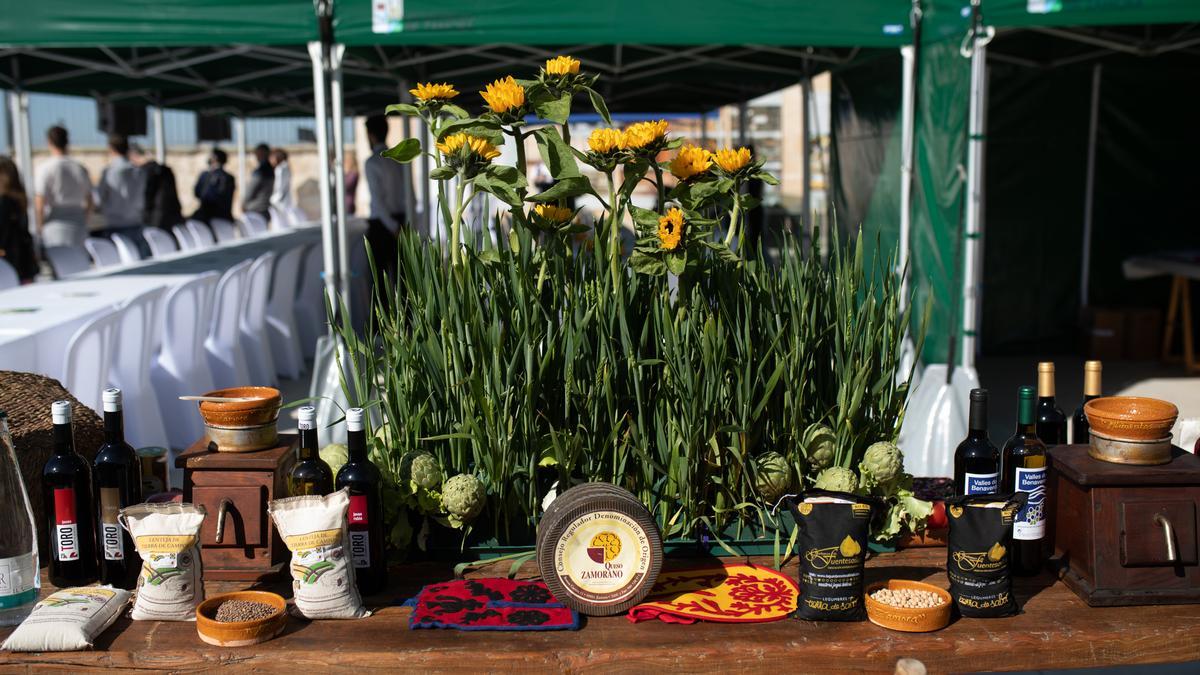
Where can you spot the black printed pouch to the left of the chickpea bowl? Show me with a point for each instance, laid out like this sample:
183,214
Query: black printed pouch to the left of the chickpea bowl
832,543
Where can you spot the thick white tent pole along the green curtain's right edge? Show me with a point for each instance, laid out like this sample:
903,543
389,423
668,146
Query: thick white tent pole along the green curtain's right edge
974,231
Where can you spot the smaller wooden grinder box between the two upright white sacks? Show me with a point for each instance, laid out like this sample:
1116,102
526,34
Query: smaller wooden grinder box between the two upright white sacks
238,541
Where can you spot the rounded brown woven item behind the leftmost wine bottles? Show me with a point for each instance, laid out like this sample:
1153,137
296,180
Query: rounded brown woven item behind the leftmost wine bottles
27,398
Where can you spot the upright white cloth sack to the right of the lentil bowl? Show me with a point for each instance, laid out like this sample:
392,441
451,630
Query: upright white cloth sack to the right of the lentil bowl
315,531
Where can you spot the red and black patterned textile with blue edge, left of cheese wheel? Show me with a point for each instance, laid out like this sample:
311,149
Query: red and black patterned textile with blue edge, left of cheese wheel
490,605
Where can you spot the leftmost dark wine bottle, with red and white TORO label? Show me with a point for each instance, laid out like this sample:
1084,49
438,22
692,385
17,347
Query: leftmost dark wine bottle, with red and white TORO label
67,487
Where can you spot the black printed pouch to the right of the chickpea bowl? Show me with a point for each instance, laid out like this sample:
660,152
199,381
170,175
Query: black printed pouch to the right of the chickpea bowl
977,554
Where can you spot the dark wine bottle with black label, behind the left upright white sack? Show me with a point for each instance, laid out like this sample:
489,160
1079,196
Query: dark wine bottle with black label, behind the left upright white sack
117,483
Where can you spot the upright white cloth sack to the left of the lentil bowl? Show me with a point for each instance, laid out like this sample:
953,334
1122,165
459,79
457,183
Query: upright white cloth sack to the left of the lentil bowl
167,536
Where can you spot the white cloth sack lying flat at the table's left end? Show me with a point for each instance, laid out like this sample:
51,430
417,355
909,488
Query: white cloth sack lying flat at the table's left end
69,620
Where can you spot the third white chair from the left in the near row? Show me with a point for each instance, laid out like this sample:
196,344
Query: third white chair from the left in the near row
183,367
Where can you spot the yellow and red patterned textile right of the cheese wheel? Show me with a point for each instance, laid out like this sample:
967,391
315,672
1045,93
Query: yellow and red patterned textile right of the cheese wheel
730,593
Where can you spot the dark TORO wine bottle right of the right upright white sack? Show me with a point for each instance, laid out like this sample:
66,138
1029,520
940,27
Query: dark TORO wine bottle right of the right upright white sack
365,515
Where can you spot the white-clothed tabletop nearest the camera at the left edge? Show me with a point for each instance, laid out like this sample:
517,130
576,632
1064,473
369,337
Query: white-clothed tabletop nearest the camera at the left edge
38,321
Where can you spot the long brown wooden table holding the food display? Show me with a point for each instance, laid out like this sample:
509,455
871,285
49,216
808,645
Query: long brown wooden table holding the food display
1055,630
